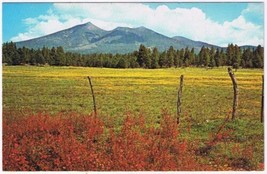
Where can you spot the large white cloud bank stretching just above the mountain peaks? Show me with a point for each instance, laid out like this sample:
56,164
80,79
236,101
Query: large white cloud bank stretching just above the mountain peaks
192,23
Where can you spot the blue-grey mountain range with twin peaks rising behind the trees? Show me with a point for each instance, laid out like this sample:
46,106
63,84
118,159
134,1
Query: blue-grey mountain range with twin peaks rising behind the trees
88,38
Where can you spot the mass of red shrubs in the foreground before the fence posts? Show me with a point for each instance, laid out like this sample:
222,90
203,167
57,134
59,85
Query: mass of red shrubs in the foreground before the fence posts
80,143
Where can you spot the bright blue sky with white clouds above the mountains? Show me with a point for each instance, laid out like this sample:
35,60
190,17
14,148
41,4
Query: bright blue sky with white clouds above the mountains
215,23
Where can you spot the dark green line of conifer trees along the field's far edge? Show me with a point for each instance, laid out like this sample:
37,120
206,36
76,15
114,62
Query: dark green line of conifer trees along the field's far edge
143,58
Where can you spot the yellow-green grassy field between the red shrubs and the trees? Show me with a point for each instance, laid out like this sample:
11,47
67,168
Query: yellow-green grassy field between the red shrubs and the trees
207,98
